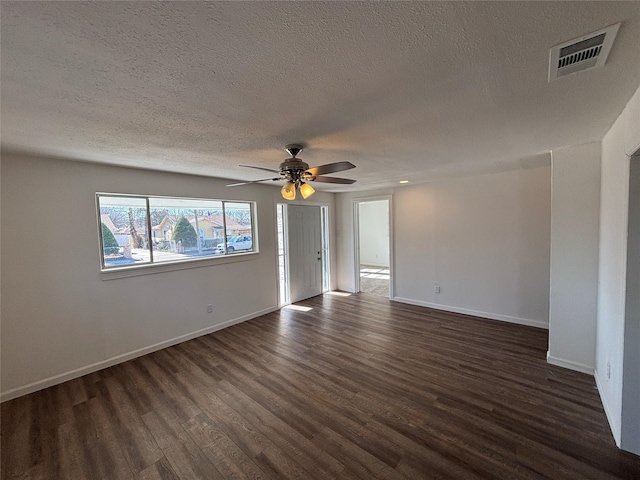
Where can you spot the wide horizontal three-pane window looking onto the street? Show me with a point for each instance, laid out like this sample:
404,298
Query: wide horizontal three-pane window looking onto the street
140,230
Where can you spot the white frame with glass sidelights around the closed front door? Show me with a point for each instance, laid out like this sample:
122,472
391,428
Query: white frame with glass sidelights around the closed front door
325,232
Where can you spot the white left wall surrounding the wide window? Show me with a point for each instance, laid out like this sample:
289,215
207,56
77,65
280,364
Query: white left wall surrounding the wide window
60,319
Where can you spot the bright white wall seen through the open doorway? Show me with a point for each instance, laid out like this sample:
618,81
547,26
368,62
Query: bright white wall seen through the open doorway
373,222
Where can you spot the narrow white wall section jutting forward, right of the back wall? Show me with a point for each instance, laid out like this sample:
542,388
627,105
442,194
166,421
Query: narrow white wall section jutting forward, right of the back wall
575,223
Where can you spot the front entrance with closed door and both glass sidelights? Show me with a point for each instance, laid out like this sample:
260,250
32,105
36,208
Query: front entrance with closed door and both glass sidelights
303,252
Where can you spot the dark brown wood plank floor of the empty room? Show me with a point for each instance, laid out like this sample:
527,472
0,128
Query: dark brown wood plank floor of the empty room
357,387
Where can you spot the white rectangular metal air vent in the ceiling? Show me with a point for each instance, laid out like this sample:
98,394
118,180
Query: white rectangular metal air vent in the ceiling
582,53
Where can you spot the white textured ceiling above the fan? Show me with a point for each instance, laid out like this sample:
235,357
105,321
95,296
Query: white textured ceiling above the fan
404,90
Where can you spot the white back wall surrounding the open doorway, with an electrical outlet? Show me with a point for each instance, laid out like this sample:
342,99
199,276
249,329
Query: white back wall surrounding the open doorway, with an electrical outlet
484,240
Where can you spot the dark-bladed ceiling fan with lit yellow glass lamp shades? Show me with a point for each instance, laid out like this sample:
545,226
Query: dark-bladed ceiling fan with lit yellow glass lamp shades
297,173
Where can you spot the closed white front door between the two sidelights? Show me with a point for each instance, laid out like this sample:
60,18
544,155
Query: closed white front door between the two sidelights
305,251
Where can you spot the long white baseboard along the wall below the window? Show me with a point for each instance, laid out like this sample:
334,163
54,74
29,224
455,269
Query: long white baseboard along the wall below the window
79,372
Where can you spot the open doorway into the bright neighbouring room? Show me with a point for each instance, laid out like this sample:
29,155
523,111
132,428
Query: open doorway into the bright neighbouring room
373,247
